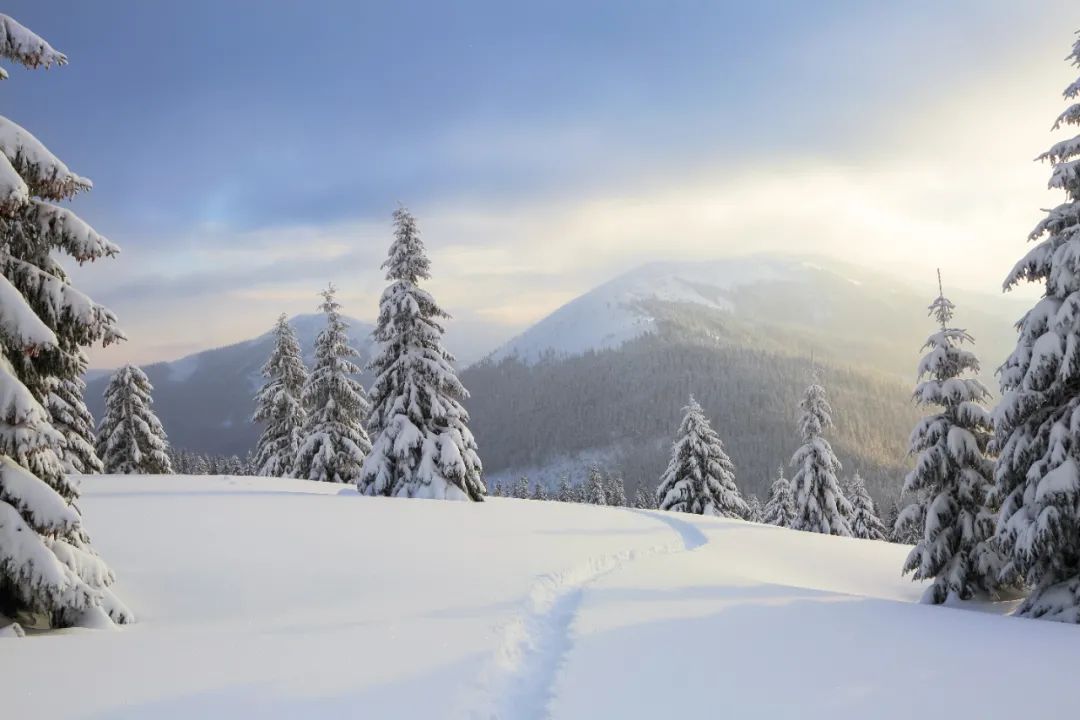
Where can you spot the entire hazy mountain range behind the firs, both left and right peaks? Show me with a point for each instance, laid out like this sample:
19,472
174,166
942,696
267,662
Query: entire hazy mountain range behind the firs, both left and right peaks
603,379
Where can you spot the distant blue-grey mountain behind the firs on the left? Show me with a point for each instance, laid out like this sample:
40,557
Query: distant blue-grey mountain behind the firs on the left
206,401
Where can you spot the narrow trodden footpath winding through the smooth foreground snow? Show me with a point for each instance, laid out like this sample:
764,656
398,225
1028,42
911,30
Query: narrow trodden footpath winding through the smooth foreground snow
519,681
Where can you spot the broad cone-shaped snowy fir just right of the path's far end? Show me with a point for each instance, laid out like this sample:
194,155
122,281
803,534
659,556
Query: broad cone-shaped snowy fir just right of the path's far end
700,478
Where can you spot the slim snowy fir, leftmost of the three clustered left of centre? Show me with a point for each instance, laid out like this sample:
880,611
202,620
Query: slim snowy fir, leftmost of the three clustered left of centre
280,405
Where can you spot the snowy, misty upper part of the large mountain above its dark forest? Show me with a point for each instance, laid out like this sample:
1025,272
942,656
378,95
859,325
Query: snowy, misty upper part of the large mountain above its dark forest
844,313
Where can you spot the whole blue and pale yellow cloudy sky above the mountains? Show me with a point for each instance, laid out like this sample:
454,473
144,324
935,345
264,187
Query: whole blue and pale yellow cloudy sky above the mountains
246,154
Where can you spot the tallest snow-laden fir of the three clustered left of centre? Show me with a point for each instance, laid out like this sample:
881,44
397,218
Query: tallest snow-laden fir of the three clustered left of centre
423,445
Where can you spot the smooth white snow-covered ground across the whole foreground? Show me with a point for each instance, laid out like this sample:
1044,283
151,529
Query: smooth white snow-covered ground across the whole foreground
276,599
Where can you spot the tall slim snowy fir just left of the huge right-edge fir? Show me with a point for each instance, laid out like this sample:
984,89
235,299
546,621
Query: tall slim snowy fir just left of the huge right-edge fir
950,486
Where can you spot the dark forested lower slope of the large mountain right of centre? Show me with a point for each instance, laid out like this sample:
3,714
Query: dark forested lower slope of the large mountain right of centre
624,405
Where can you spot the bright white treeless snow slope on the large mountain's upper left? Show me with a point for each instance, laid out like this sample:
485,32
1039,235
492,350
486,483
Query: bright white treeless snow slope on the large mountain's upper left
614,314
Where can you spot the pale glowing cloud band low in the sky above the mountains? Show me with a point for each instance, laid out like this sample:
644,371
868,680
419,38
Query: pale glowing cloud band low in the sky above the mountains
943,178
